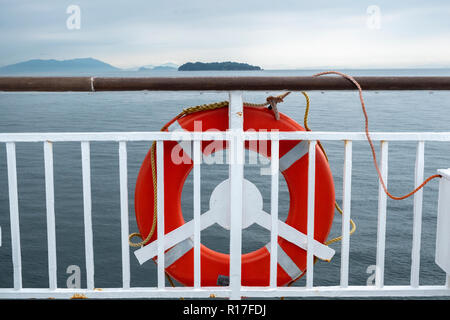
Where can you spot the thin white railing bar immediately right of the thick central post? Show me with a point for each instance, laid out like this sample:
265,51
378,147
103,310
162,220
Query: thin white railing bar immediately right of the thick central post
274,213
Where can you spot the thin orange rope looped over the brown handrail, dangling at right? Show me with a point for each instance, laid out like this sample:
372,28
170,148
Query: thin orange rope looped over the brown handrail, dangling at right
370,140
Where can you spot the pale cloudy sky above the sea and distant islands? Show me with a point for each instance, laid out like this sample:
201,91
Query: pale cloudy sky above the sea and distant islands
283,34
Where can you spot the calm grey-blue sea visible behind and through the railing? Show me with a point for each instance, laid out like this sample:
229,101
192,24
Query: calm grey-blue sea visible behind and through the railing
148,111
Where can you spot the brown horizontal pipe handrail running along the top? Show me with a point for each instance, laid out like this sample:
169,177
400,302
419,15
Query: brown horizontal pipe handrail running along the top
91,84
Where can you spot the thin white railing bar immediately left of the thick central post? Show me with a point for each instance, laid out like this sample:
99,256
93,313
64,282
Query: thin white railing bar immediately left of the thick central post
197,207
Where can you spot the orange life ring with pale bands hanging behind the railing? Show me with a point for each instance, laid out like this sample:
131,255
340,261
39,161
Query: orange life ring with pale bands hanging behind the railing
294,168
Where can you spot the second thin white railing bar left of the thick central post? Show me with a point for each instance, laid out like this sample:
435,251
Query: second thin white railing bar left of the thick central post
160,211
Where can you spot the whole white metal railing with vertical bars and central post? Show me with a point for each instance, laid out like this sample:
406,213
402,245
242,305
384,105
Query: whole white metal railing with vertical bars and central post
236,138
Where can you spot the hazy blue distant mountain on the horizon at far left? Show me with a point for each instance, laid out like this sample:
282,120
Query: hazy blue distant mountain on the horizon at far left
84,65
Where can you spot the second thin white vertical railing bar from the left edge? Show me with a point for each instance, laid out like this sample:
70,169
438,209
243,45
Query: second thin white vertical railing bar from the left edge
50,205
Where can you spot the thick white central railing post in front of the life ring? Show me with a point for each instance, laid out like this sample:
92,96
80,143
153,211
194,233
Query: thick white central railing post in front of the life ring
236,175
